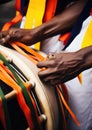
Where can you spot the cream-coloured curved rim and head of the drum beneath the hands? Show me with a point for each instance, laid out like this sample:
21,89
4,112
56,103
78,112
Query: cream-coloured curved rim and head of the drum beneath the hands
44,94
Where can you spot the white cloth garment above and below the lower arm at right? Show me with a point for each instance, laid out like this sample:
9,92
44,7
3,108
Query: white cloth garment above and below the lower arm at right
80,95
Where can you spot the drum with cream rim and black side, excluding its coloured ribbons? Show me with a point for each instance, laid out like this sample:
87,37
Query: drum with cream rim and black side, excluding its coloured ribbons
44,95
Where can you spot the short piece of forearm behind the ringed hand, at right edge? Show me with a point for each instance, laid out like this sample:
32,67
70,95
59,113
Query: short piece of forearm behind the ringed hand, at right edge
85,55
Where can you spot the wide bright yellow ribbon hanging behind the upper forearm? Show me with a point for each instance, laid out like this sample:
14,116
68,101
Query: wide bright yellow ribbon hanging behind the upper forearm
34,16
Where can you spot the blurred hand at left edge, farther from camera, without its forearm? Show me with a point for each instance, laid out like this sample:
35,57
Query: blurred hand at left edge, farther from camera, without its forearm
15,34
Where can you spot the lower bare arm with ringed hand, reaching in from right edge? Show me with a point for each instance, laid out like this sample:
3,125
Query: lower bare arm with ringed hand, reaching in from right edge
65,66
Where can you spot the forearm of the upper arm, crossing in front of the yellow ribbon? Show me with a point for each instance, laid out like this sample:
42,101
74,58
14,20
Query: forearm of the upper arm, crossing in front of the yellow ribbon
60,23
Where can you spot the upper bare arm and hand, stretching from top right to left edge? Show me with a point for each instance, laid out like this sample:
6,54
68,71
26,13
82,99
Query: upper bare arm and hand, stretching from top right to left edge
57,25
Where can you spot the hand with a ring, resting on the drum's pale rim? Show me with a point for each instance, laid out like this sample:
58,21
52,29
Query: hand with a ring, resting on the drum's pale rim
60,67
